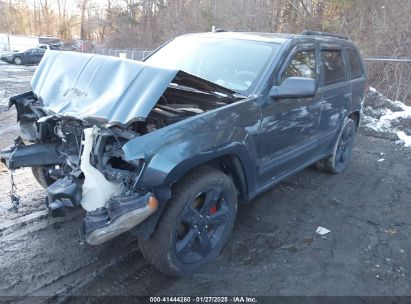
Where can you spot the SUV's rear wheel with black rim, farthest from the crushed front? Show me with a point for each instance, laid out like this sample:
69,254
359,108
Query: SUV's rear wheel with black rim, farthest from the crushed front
342,151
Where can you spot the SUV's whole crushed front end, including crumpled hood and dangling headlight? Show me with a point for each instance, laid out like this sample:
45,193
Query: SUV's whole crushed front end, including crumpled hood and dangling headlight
75,123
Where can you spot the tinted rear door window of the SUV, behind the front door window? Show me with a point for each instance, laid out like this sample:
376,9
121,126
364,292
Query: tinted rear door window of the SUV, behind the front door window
333,67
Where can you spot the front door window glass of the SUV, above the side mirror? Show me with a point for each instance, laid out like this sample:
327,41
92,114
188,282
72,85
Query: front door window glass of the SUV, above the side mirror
302,65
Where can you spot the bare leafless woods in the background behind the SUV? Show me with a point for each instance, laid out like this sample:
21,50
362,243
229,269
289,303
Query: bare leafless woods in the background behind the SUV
379,27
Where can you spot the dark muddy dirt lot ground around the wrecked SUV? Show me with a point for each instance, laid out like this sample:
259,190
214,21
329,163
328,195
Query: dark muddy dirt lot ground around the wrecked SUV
273,250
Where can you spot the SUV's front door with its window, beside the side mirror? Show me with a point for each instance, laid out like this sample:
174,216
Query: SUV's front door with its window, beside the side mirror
289,128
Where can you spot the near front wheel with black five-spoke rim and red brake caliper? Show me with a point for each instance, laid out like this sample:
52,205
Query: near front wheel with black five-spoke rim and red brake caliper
195,225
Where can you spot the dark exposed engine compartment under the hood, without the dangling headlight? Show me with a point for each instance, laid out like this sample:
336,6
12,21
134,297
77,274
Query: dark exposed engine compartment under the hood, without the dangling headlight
105,141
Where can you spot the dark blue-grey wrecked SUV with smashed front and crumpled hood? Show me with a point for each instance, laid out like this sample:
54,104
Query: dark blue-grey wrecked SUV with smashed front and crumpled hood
166,148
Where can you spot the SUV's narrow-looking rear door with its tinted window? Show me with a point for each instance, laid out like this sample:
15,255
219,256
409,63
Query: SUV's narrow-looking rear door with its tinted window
337,93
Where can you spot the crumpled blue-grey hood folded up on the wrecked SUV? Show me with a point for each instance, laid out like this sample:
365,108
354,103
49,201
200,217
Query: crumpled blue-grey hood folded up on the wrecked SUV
106,89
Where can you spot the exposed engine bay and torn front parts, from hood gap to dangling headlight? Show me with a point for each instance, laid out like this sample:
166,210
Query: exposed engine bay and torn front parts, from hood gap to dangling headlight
85,160
